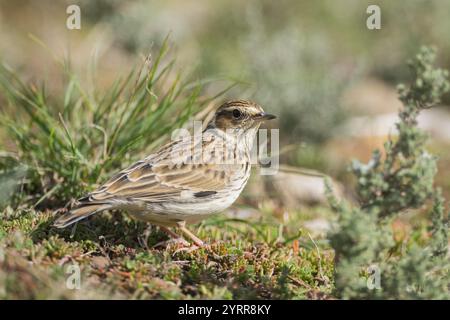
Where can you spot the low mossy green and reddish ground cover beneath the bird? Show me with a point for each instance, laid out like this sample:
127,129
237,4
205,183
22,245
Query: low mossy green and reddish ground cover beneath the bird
241,263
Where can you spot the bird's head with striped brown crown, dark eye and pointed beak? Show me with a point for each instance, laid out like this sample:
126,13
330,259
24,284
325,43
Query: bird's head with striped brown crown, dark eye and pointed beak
240,115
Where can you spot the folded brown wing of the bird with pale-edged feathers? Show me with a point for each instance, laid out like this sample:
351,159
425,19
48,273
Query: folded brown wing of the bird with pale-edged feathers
164,175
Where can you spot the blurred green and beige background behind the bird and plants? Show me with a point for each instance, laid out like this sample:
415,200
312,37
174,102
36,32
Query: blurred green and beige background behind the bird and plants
315,64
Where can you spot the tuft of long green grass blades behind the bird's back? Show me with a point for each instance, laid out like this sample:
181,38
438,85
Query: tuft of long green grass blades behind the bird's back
70,143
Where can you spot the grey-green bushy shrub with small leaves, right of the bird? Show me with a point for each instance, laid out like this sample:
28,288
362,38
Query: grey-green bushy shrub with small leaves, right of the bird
388,185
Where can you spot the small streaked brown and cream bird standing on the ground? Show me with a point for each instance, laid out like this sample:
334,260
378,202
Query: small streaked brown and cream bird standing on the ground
185,180
